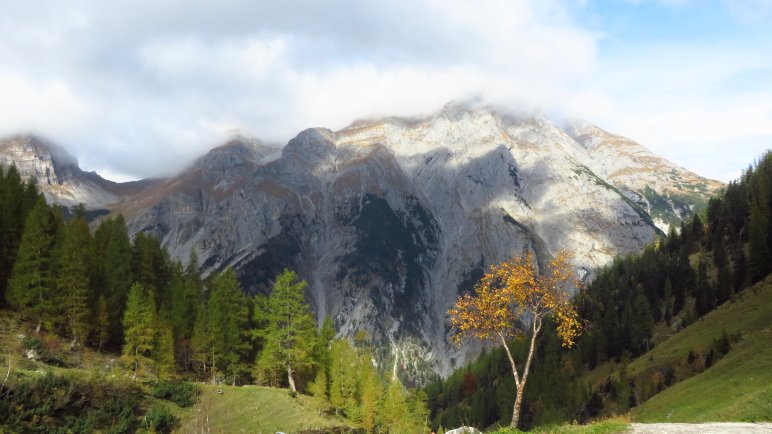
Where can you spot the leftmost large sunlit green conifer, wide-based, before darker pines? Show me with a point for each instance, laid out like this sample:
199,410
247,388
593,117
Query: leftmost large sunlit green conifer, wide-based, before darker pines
31,284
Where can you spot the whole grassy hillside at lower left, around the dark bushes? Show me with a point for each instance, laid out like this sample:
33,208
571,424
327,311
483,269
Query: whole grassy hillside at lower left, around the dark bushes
243,409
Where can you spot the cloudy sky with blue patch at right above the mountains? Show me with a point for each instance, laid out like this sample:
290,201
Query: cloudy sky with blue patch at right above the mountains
139,88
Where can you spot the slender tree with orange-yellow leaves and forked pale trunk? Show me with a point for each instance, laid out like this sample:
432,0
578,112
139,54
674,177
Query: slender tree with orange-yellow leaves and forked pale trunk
514,292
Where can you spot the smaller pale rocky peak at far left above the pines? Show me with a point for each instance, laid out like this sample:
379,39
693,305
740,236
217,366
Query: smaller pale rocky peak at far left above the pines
58,175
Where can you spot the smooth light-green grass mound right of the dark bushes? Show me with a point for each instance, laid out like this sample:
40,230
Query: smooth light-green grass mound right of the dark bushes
252,409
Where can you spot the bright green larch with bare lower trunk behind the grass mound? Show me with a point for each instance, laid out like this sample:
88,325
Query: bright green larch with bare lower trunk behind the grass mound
291,330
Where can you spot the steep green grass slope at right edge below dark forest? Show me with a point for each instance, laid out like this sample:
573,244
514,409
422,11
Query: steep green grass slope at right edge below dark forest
739,386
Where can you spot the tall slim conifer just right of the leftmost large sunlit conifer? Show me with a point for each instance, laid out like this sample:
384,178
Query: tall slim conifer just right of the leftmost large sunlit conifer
73,279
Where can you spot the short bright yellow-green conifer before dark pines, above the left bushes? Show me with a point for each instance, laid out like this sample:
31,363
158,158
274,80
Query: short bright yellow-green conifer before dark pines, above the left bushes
139,327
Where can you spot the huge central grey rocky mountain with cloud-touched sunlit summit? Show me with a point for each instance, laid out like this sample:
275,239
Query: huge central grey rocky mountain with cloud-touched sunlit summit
389,220
